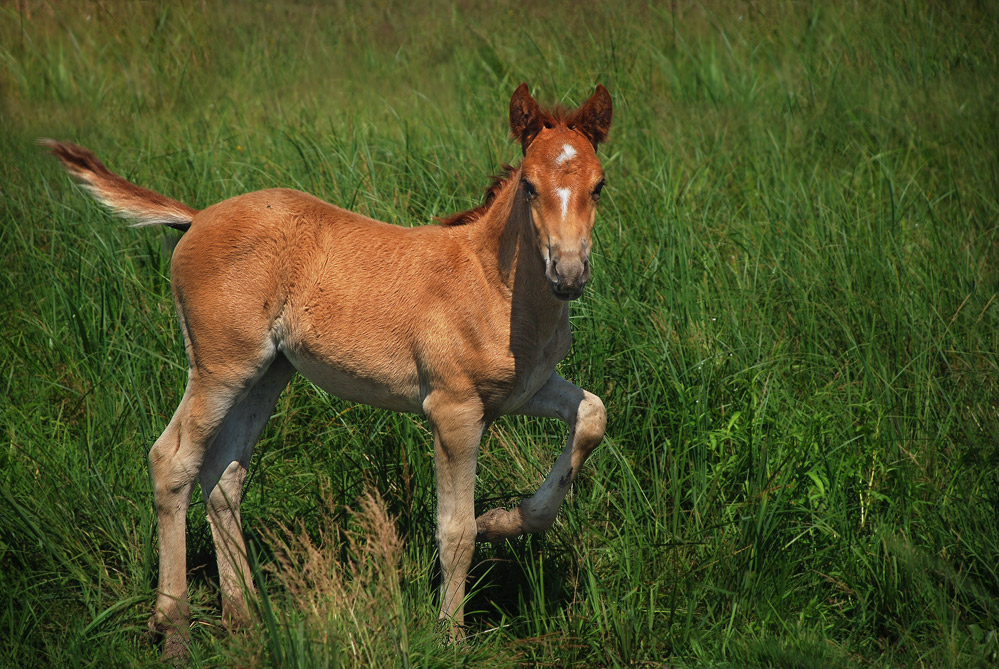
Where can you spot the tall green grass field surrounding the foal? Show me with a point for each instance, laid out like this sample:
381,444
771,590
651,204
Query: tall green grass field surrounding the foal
793,322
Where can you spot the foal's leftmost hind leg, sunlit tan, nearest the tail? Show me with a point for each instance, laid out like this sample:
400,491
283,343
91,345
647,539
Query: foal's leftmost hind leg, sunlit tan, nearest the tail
175,461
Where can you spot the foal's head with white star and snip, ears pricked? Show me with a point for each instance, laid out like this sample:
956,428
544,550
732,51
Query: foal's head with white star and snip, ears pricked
561,178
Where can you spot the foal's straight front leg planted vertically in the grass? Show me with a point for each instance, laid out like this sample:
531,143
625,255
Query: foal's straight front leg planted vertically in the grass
458,426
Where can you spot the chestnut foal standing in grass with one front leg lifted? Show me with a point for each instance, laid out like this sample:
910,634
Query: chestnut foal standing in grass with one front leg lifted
462,322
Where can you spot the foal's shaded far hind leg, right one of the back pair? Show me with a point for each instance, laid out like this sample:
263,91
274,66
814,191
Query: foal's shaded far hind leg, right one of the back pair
222,475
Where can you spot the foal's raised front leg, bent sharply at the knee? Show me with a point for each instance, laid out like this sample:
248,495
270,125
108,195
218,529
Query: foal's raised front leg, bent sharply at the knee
584,413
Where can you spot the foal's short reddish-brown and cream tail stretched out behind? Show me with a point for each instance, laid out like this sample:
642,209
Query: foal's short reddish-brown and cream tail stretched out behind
142,205
